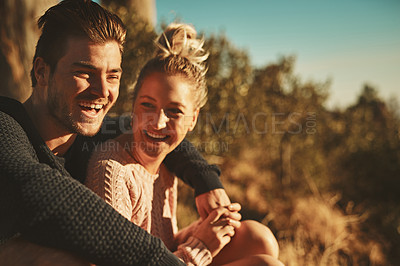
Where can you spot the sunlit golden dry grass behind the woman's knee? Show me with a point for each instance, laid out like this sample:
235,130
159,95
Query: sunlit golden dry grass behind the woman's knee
311,229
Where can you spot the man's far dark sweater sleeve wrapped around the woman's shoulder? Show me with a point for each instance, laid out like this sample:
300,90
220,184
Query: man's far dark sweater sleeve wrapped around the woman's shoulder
188,164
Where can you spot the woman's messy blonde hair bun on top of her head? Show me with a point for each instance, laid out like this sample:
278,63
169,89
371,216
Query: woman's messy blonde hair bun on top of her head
181,40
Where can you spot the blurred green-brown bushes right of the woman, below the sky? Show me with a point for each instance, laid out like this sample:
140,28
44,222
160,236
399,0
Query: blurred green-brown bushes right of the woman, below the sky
296,147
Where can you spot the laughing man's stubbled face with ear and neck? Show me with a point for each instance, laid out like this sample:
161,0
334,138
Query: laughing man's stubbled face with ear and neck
75,97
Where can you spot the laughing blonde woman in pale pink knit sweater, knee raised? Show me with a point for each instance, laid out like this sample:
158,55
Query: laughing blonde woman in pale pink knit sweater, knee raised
129,174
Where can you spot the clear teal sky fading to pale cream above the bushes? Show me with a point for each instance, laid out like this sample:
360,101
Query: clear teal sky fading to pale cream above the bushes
349,42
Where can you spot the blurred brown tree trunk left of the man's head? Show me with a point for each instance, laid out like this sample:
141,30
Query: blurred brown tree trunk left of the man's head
19,33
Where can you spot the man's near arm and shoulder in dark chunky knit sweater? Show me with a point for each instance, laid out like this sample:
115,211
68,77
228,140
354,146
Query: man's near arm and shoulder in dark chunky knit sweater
42,201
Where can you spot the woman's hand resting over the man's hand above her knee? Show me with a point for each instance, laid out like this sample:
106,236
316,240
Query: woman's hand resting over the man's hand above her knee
218,228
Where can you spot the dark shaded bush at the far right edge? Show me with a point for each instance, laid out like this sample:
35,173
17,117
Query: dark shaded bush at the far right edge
368,166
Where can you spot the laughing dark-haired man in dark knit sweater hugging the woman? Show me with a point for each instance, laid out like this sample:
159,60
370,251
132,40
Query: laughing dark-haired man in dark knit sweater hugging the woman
45,144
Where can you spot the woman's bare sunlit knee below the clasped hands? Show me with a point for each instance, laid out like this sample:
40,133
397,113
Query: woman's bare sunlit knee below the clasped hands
260,237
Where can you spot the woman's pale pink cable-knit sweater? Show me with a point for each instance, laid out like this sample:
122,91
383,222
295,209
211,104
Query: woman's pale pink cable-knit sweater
148,200
